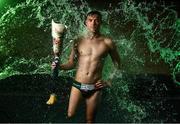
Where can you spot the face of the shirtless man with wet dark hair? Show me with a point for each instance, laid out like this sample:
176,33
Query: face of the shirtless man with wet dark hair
93,23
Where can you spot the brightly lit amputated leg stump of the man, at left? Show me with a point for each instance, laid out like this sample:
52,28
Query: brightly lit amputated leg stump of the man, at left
74,100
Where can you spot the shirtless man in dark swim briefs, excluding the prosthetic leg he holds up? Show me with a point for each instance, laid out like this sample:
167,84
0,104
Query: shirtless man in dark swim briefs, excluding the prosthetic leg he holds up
90,51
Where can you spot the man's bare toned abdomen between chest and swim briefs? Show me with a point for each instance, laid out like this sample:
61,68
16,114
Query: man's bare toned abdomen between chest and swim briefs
88,71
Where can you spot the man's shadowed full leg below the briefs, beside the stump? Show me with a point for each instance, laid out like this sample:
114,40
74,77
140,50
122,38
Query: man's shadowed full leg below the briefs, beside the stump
92,104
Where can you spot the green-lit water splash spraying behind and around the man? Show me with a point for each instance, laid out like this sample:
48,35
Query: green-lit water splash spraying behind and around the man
145,36
